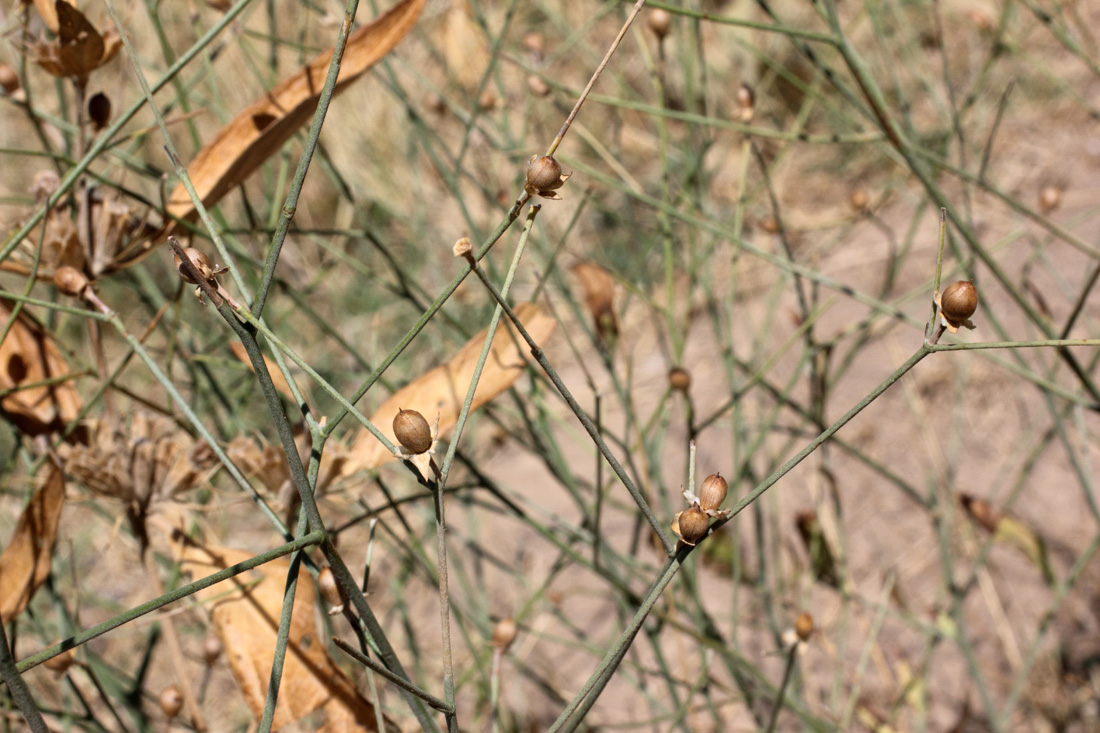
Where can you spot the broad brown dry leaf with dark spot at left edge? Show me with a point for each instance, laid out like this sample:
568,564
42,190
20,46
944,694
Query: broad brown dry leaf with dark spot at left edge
28,357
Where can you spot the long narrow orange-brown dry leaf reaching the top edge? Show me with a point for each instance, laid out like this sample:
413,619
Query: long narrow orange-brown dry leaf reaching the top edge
262,129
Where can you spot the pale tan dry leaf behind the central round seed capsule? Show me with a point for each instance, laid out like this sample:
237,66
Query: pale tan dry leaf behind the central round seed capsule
443,390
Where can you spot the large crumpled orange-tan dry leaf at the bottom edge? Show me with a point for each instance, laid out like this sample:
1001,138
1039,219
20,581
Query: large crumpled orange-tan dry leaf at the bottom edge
247,621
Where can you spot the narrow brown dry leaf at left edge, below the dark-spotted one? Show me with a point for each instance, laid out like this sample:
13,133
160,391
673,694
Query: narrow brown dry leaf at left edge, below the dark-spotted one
25,565
